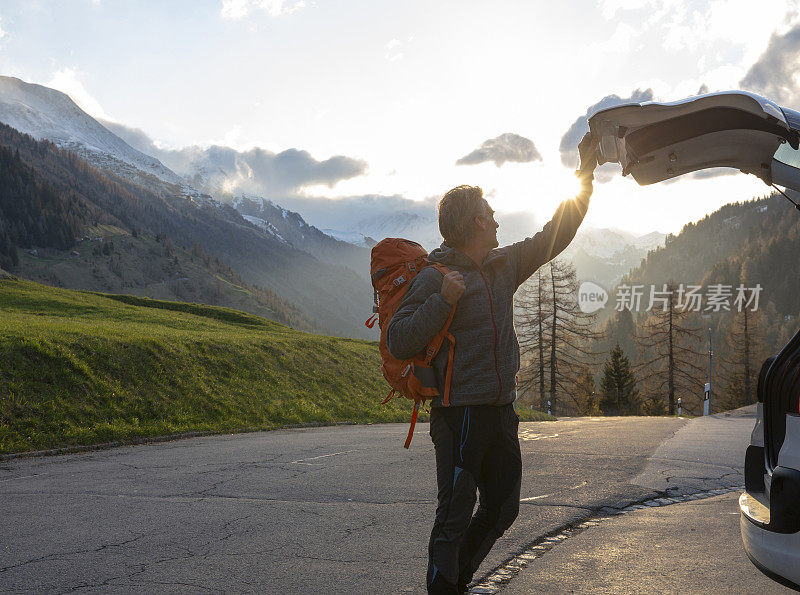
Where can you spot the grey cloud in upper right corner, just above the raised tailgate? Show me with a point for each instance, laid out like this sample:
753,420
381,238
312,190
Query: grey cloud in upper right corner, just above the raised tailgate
775,73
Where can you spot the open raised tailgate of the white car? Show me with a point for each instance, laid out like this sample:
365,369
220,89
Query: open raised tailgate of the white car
659,141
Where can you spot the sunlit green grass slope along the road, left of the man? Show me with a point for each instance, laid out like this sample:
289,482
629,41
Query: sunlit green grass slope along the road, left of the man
81,368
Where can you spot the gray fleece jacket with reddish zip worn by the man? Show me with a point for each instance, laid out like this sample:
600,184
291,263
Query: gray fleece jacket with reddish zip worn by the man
486,358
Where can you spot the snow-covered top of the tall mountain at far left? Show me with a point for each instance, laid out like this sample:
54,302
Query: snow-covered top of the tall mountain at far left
47,114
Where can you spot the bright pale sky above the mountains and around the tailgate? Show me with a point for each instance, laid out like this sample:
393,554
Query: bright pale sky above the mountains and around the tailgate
424,95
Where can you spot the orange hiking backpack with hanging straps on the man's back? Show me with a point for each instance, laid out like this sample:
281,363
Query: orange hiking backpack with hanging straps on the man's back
395,262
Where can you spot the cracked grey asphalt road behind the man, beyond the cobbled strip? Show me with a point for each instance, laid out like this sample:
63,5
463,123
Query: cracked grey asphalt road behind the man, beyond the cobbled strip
337,510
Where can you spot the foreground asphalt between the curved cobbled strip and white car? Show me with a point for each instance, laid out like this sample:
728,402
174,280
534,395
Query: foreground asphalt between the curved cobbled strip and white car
692,547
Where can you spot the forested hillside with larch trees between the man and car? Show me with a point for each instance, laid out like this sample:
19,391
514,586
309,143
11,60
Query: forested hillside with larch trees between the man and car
713,303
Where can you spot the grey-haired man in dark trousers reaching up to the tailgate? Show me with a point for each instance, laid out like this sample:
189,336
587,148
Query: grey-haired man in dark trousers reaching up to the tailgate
475,437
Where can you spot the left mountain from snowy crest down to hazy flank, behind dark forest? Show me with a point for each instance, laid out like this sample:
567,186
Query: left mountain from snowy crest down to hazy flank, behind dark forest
282,254
